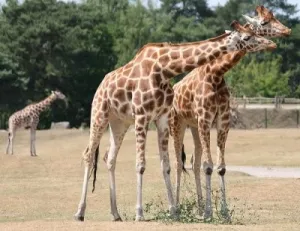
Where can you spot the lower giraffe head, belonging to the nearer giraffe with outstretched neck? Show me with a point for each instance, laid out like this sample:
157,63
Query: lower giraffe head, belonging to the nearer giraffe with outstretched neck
243,38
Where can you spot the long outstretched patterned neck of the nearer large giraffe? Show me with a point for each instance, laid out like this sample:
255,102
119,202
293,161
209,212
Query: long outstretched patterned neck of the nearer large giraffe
169,60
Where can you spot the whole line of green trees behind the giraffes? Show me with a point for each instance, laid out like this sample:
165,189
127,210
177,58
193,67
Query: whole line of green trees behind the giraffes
49,44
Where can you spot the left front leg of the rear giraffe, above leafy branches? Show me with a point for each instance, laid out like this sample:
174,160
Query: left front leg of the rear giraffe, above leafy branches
204,134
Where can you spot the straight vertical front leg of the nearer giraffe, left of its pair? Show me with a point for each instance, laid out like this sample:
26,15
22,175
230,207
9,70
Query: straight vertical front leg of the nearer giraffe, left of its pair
141,128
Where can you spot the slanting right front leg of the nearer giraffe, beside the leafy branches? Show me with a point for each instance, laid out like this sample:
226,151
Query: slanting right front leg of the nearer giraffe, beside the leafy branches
163,140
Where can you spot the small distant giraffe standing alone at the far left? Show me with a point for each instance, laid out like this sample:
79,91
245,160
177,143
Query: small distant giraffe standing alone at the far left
28,117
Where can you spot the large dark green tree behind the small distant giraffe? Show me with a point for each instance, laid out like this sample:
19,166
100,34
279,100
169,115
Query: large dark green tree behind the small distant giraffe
58,45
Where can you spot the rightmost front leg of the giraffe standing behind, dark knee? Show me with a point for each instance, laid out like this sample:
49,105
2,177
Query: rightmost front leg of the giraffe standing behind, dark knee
223,124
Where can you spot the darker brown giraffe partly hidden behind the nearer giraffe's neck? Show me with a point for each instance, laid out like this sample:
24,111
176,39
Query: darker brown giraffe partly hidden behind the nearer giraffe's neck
202,97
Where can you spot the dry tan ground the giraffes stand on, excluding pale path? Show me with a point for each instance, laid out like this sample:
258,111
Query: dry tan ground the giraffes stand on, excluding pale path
42,193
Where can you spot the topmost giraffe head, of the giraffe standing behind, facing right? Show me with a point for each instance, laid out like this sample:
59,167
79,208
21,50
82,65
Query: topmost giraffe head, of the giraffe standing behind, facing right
265,24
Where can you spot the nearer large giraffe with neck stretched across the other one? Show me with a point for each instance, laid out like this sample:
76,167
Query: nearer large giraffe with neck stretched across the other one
140,92
